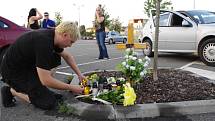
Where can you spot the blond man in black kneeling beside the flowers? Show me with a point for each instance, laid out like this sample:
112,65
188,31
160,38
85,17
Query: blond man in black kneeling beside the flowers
27,63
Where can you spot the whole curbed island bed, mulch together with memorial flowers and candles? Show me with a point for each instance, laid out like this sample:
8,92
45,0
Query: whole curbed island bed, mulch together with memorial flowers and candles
133,84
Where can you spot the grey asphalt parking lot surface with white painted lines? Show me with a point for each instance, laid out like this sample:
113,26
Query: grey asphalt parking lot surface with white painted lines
85,53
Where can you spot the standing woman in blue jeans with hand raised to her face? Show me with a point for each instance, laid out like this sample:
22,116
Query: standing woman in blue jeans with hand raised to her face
100,33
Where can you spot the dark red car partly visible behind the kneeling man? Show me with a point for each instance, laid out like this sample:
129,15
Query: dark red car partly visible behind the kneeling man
9,32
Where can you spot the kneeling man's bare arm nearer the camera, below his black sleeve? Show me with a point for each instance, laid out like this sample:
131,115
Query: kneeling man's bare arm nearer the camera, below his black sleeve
47,80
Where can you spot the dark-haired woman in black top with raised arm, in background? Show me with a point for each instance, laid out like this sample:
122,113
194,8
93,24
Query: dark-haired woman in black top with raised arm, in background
33,18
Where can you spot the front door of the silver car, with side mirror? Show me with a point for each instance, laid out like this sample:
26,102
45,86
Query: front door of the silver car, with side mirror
180,35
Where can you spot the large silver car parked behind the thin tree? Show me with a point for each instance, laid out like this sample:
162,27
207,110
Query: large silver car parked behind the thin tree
185,32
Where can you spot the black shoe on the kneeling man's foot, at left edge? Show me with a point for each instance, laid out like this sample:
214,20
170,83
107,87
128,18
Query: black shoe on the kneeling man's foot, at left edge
7,97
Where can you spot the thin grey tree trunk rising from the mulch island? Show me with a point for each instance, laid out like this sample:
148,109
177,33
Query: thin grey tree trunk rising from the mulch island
155,75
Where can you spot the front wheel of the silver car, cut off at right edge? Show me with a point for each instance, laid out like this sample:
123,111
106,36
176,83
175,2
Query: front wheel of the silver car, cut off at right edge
207,52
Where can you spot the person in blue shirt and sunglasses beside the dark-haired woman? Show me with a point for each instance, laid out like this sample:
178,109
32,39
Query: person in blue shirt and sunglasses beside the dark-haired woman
47,23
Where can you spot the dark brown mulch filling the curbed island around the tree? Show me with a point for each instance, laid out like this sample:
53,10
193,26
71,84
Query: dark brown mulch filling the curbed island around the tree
171,86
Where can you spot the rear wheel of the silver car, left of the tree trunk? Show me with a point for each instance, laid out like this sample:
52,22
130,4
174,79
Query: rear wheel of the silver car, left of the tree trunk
148,50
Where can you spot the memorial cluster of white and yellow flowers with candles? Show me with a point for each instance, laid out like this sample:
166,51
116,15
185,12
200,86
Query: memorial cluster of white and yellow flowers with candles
117,90
